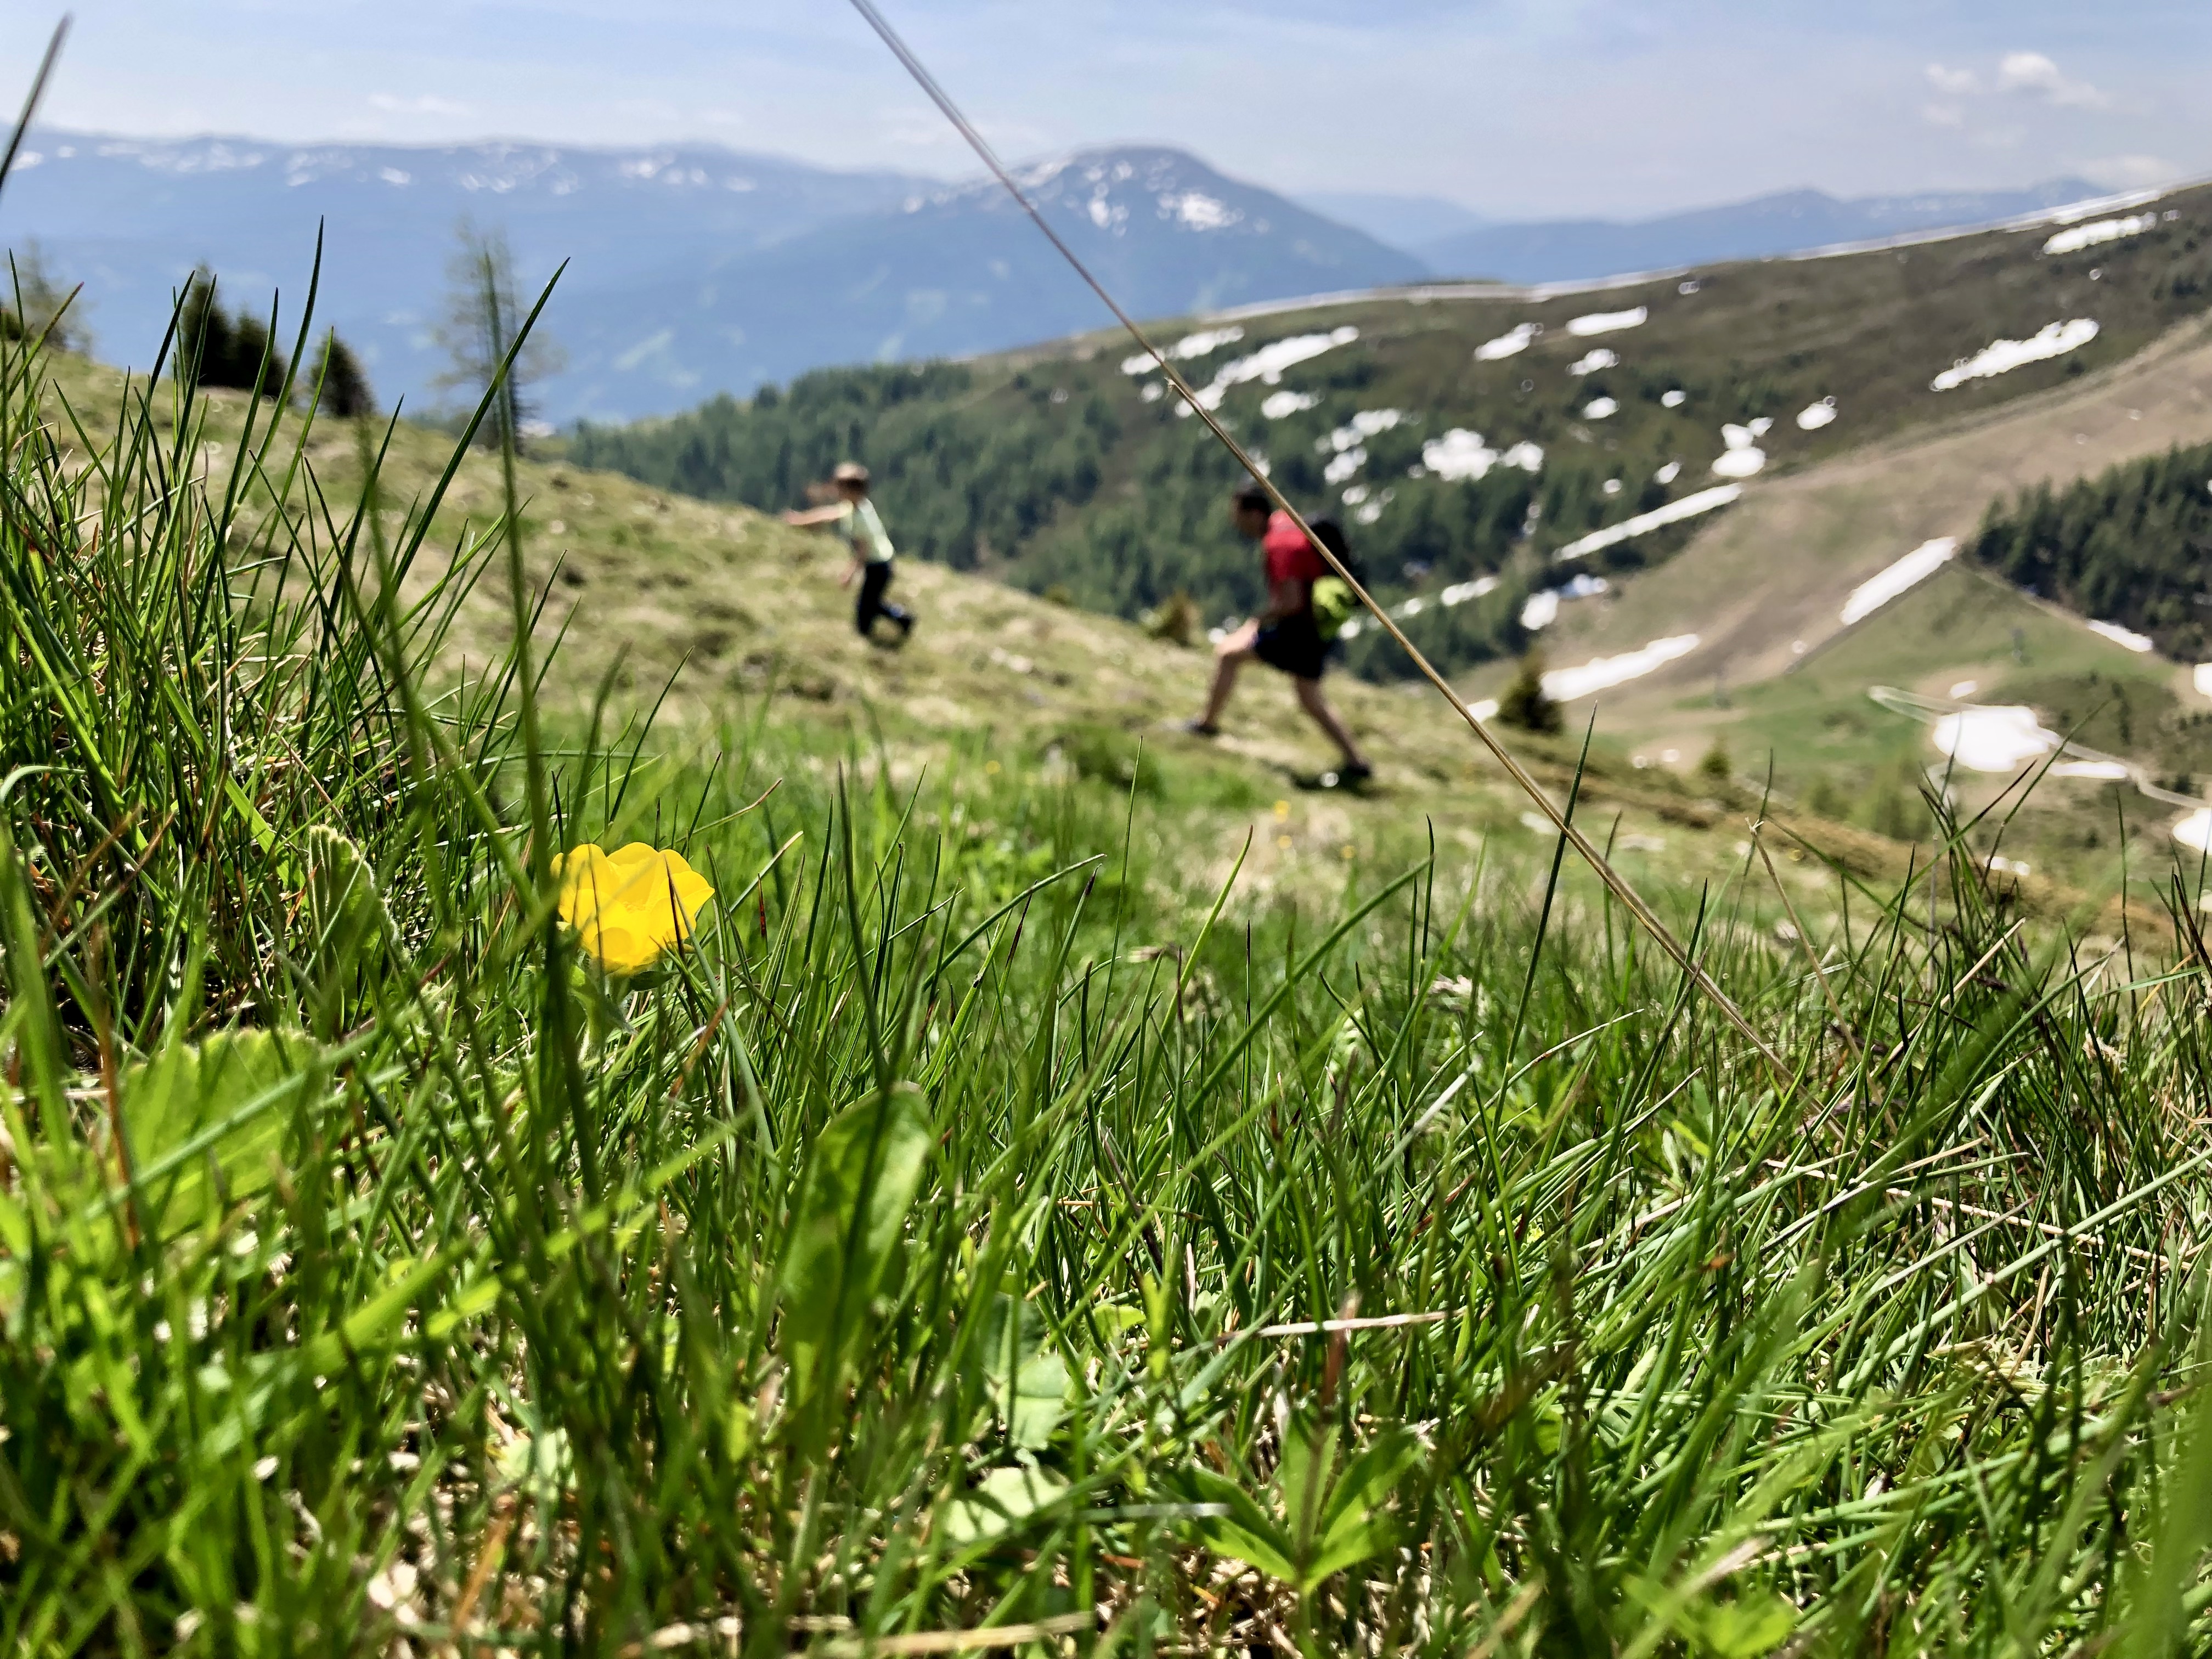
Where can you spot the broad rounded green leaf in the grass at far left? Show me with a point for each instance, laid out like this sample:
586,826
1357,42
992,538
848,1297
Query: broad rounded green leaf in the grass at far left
213,1105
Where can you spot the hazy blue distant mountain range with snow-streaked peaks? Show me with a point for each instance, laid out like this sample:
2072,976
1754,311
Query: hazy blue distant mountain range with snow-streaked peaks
696,271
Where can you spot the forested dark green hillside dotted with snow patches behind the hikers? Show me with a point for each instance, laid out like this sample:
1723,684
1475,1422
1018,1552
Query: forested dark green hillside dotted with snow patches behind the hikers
1056,472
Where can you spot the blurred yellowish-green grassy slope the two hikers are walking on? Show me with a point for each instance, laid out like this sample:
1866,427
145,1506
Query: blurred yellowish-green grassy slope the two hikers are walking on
693,609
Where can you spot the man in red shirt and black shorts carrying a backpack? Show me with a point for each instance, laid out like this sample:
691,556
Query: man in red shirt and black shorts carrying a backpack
1288,634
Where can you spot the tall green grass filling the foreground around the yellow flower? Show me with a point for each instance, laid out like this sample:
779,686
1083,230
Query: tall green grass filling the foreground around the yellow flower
1003,1218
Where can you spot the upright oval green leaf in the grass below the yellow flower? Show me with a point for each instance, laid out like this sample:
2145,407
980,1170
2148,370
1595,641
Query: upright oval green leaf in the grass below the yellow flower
853,1202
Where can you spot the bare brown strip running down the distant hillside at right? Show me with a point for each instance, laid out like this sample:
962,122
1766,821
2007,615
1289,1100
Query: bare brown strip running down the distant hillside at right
1777,567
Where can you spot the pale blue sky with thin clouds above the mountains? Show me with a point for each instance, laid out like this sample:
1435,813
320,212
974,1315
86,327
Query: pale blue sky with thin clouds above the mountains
1510,107
